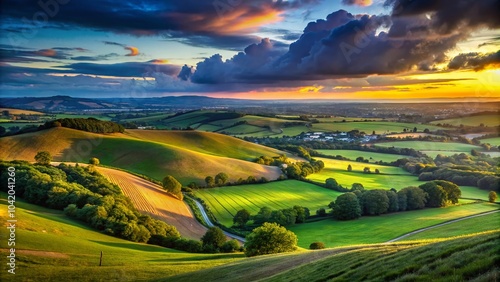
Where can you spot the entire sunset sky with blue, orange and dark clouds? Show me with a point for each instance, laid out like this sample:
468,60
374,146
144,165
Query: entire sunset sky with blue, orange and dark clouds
260,49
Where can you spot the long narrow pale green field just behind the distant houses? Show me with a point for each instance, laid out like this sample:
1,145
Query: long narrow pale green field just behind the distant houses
380,127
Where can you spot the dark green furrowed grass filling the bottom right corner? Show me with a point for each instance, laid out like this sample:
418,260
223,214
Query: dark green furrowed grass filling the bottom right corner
470,258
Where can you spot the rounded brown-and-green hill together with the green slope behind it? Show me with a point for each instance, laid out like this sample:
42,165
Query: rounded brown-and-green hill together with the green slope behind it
155,154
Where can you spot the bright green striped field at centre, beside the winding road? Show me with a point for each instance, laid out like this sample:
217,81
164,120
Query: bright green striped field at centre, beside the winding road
226,201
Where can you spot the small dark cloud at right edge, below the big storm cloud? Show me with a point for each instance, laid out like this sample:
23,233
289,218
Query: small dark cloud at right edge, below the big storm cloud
475,61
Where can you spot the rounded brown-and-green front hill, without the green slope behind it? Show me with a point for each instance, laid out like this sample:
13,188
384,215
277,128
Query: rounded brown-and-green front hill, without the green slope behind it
145,157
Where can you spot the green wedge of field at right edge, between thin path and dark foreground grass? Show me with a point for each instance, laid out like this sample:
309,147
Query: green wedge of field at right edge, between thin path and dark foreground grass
467,226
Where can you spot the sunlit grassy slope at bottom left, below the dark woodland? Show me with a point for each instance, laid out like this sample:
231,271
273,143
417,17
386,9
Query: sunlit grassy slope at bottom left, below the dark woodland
53,247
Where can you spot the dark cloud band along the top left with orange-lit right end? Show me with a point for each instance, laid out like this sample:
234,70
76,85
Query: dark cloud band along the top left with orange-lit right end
206,18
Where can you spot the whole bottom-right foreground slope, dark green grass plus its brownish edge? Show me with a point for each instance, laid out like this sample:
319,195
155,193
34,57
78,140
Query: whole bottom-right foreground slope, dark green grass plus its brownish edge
457,259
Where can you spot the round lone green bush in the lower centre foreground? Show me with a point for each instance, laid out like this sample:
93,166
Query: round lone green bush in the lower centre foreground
270,238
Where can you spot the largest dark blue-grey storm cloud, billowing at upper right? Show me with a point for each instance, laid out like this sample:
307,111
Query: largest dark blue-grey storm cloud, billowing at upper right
416,37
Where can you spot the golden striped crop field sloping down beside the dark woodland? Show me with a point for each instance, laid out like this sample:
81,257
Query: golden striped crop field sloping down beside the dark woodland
150,198
